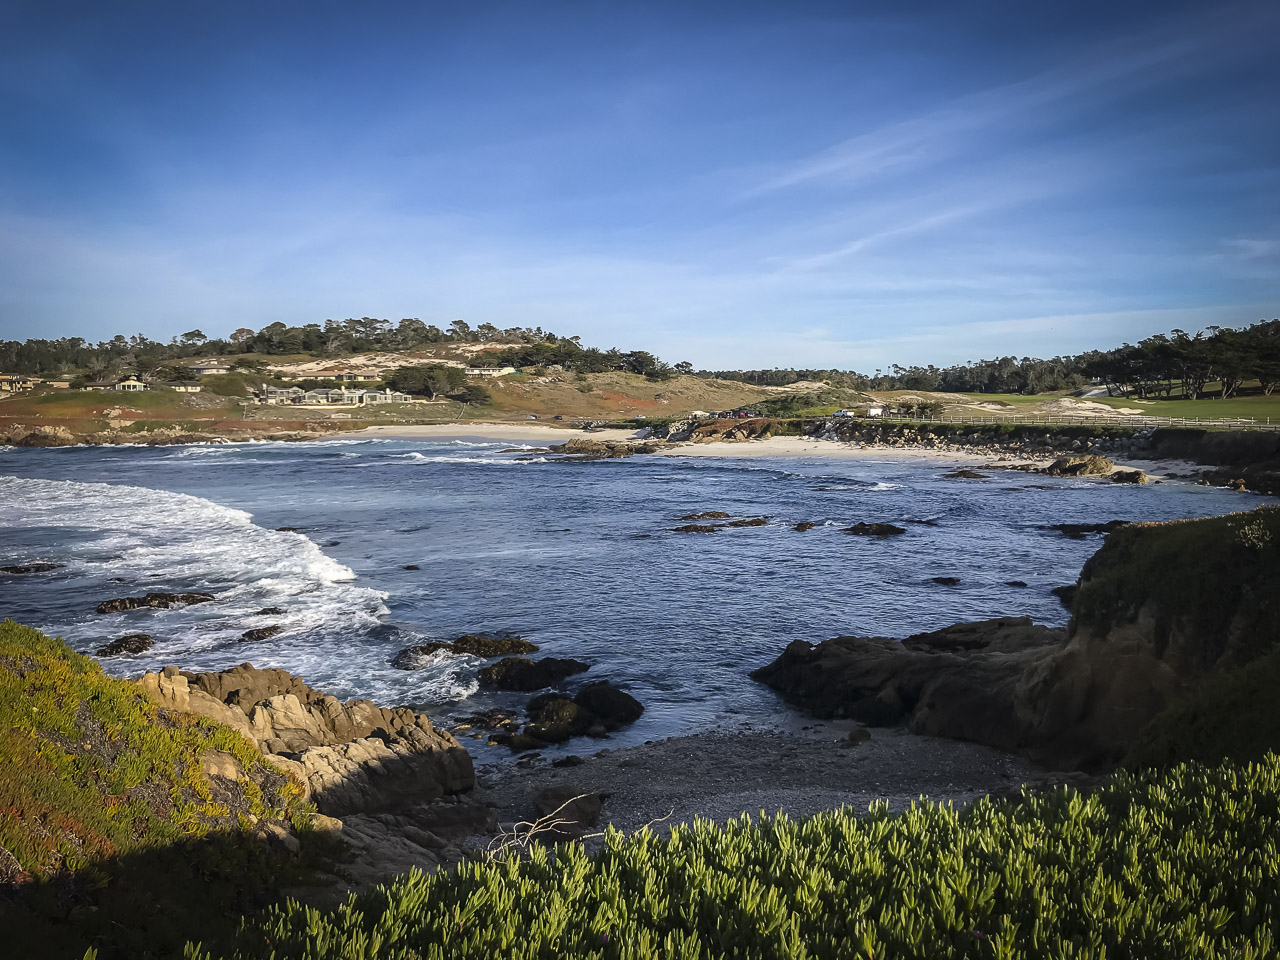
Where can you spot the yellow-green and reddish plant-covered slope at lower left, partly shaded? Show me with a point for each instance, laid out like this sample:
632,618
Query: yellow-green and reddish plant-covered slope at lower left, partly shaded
113,831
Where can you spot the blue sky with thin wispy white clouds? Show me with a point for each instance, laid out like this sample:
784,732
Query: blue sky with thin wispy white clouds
735,185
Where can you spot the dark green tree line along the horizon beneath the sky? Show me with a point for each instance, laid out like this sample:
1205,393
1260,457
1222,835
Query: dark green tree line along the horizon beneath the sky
1156,367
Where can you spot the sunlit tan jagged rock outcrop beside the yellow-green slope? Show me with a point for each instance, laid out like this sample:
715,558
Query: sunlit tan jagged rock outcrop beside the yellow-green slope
353,758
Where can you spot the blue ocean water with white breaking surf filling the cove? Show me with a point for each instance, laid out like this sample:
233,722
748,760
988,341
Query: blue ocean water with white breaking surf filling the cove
579,559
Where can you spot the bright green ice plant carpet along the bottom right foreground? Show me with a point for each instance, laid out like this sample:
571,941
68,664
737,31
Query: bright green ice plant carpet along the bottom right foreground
1176,865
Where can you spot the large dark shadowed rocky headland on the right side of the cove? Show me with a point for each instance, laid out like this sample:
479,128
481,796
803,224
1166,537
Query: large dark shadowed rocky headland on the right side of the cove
1160,609
